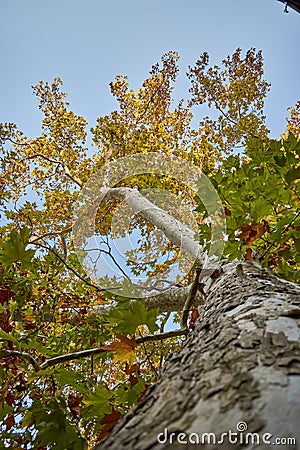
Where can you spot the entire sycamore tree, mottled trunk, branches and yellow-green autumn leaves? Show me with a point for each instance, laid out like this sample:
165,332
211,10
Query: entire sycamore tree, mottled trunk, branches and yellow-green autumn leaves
98,249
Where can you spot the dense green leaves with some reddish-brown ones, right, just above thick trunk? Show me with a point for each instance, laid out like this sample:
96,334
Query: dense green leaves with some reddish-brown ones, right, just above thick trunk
260,194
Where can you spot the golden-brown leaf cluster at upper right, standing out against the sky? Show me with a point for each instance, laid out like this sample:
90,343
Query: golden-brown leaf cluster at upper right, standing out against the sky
237,92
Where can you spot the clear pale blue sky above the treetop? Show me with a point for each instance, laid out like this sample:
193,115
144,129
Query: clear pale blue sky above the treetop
87,43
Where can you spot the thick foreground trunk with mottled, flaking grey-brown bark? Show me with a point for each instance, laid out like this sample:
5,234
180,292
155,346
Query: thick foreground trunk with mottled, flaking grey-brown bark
241,363
